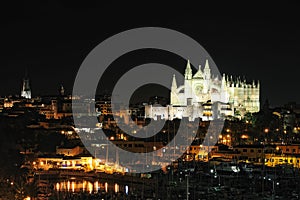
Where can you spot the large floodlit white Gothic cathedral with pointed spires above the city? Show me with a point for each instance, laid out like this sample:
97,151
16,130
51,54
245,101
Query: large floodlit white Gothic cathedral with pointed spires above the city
208,97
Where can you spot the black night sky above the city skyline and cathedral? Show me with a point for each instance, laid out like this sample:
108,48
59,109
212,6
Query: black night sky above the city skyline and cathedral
52,39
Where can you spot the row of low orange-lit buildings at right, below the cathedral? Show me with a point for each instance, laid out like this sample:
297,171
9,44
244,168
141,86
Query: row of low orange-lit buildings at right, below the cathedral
271,155
